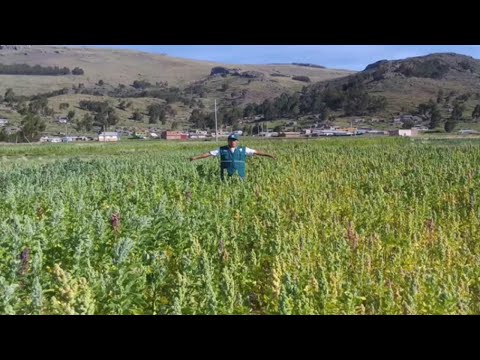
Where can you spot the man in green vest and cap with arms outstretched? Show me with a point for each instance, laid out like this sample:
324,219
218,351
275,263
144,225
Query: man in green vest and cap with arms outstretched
232,157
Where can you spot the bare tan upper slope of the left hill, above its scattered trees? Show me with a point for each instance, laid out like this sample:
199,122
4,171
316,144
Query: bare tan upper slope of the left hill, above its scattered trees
124,67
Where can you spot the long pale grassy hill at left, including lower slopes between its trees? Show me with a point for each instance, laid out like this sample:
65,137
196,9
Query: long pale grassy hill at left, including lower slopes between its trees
106,70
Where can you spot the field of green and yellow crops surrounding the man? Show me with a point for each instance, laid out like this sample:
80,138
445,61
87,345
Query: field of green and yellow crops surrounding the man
333,226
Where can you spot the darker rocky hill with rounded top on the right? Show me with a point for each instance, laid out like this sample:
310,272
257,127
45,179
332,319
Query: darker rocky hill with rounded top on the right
407,83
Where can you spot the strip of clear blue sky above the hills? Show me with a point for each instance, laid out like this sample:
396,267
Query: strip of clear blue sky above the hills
353,57
